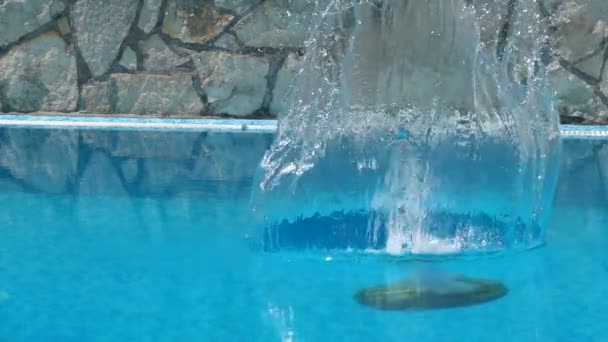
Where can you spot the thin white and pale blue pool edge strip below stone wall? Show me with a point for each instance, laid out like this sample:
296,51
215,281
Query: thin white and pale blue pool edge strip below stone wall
203,124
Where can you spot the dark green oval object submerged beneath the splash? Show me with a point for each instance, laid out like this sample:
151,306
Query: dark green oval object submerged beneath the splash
427,293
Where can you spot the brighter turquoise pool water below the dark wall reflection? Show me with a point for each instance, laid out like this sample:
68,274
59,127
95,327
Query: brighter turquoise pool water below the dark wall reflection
183,269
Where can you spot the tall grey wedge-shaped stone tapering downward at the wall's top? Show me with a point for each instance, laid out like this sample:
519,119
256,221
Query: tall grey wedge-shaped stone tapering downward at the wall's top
101,27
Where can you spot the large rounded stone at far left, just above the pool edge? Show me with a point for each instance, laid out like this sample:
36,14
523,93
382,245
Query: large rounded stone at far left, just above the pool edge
39,75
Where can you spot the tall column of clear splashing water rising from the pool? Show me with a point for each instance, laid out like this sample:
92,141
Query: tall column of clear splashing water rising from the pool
429,125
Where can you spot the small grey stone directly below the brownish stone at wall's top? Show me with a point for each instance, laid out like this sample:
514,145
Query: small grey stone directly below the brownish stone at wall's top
158,56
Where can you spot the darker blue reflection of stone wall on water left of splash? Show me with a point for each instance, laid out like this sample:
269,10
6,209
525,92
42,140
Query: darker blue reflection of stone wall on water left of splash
89,162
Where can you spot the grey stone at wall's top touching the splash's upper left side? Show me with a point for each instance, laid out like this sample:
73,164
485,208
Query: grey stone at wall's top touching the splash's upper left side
277,24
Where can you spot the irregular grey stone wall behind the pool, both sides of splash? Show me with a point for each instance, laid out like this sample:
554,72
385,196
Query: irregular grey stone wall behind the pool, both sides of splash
222,57
